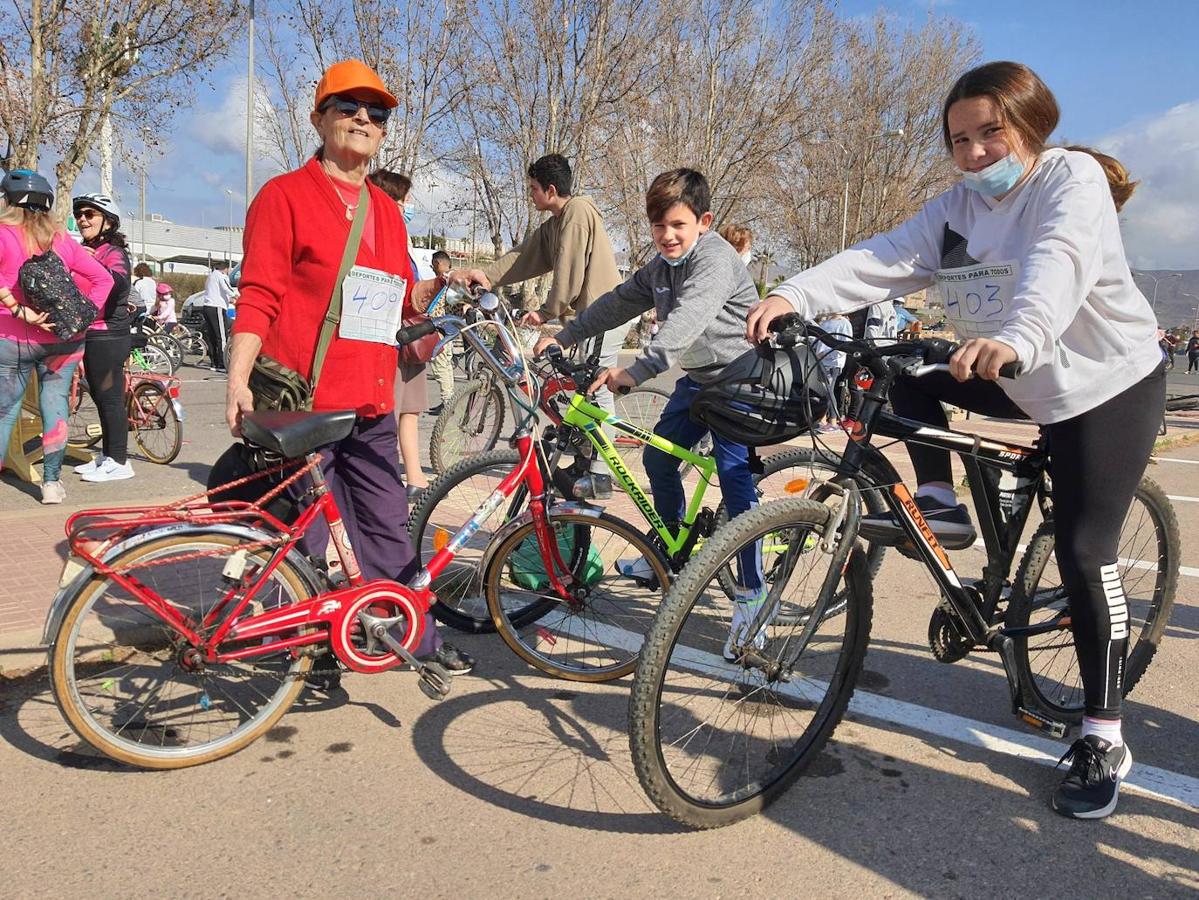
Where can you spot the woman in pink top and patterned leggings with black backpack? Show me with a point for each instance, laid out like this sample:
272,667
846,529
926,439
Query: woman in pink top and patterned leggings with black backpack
29,228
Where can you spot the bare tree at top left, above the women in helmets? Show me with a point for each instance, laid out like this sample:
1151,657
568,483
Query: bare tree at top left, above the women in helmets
79,64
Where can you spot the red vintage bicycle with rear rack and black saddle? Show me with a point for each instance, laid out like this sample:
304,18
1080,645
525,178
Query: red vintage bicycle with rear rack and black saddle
183,633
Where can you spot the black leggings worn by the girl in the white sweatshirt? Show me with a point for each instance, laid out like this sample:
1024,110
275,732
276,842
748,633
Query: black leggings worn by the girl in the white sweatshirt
1096,461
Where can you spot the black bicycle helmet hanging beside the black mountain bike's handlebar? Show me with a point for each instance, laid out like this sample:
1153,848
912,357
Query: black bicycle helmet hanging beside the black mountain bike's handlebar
766,396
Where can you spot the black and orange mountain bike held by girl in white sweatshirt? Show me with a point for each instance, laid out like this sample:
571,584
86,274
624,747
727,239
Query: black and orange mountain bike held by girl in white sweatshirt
715,741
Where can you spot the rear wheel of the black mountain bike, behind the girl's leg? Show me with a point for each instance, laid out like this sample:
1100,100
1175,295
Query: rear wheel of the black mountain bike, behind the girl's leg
1047,665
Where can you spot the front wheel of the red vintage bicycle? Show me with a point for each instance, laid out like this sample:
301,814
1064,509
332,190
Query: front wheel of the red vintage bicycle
541,621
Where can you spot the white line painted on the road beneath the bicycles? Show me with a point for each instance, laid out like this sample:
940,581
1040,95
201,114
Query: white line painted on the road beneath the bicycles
1144,780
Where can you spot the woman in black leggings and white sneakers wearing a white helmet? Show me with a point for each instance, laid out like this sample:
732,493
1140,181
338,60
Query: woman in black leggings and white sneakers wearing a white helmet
109,339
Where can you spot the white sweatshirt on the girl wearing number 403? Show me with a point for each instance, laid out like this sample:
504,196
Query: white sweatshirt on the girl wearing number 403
1043,271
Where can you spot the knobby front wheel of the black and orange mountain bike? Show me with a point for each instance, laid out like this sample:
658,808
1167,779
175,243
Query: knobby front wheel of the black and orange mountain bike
730,705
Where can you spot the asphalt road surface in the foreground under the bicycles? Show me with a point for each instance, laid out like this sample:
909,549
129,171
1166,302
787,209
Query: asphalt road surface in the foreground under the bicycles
522,786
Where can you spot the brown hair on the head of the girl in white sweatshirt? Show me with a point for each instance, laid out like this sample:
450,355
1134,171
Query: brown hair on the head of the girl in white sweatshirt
1025,101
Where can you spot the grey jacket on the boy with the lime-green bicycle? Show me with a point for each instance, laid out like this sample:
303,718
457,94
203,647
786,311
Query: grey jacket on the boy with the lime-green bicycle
702,307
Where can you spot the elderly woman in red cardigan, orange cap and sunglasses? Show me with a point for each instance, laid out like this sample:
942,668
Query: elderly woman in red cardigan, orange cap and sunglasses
297,233
